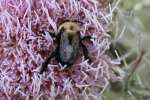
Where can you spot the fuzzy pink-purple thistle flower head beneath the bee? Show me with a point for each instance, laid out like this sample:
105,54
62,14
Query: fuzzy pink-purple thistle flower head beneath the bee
24,47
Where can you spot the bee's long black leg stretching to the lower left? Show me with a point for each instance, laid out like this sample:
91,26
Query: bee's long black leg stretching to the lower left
44,65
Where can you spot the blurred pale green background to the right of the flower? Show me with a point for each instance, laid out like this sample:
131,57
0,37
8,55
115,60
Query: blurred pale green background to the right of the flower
130,36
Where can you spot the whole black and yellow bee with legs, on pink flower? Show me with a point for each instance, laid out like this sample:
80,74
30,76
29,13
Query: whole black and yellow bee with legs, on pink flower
69,41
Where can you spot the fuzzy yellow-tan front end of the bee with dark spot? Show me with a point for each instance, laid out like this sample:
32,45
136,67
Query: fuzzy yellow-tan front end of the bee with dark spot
71,28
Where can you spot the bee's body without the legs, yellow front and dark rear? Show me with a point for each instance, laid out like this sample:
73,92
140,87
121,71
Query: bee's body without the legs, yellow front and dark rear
69,43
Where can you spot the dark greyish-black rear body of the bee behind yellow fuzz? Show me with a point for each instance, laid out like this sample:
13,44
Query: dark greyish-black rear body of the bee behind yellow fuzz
68,49
